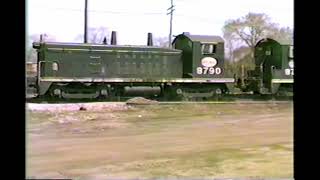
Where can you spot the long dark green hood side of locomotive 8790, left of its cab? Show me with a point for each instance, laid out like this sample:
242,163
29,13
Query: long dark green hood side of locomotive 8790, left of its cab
112,62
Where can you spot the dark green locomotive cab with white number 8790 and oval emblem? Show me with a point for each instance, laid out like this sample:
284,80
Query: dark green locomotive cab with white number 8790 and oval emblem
203,56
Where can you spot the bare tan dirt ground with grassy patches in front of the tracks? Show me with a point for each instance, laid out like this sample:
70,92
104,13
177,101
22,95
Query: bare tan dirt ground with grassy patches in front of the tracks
114,140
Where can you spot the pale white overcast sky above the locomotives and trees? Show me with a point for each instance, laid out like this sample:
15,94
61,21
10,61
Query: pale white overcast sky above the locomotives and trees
133,19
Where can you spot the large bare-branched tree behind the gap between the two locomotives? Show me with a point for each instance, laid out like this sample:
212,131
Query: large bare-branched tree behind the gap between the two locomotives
242,34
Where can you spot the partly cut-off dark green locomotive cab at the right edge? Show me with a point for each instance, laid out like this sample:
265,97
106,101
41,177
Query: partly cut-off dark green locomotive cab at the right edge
274,66
